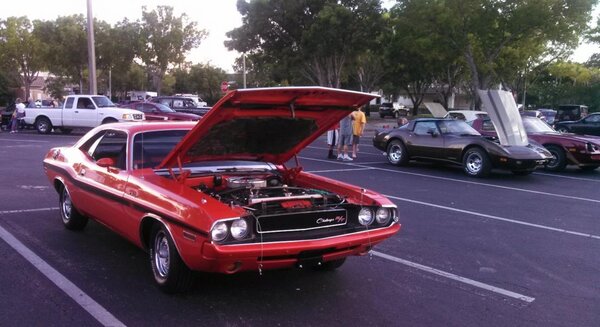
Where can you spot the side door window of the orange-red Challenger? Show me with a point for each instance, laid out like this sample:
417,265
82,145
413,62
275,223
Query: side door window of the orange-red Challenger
112,144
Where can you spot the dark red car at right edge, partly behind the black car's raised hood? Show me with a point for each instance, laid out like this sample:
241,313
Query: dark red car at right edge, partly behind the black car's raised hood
566,149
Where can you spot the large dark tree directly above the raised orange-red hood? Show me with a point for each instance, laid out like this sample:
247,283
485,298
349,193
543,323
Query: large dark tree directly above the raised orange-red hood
311,41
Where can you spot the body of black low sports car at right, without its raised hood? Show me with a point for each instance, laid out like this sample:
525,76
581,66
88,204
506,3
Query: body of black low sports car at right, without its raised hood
454,141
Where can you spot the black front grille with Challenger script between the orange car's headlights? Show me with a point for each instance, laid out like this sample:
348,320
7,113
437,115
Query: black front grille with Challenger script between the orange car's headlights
301,221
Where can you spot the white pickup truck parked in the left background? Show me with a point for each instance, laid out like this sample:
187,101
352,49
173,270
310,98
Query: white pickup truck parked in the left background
79,111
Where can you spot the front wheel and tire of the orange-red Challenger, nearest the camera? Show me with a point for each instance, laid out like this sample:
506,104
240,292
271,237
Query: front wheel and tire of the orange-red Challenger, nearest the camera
170,272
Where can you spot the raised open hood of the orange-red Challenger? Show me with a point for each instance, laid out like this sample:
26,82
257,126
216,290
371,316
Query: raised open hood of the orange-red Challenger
268,124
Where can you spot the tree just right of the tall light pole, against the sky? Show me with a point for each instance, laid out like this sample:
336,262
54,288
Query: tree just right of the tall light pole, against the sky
167,39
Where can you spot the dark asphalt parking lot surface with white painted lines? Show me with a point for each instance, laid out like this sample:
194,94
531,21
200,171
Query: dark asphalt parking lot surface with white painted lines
502,251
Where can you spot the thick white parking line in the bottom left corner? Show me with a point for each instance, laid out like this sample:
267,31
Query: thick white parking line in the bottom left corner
87,303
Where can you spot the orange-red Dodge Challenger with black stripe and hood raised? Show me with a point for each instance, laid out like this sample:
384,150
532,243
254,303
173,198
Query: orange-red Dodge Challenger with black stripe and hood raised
217,195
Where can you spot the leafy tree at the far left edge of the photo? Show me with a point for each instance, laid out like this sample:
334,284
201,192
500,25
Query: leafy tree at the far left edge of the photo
22,51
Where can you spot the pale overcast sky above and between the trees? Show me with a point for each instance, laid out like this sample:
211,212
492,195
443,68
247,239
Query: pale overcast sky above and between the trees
215,16
